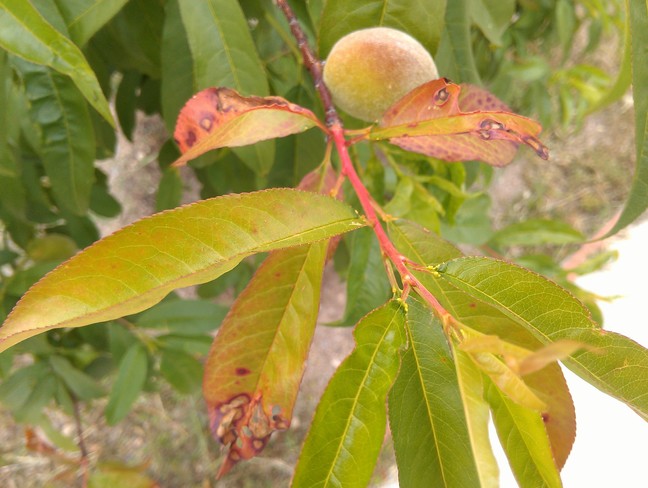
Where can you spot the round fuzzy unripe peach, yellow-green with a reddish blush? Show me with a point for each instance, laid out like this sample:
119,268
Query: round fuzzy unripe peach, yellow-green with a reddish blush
370,69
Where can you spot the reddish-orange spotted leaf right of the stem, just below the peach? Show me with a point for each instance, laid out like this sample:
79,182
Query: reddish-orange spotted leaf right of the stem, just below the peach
458,123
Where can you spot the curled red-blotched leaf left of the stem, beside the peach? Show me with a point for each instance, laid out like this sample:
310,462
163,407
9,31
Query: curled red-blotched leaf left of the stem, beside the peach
220,117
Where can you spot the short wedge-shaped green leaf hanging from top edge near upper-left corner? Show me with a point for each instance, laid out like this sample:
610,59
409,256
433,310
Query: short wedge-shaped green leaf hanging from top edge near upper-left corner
85,17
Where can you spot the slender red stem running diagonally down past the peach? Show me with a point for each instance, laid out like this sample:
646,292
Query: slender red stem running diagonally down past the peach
336,132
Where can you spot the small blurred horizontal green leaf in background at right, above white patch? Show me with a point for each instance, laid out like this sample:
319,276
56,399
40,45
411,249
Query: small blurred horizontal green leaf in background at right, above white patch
536,232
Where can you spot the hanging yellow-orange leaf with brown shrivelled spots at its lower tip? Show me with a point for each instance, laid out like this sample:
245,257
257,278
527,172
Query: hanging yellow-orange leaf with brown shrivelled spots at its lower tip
258,357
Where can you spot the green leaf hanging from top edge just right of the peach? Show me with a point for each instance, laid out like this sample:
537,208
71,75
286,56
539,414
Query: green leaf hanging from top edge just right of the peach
455,56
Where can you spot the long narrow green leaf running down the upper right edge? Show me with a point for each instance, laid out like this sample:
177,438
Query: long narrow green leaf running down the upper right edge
637,201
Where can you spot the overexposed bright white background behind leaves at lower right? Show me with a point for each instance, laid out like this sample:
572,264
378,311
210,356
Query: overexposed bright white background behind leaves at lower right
611,448
